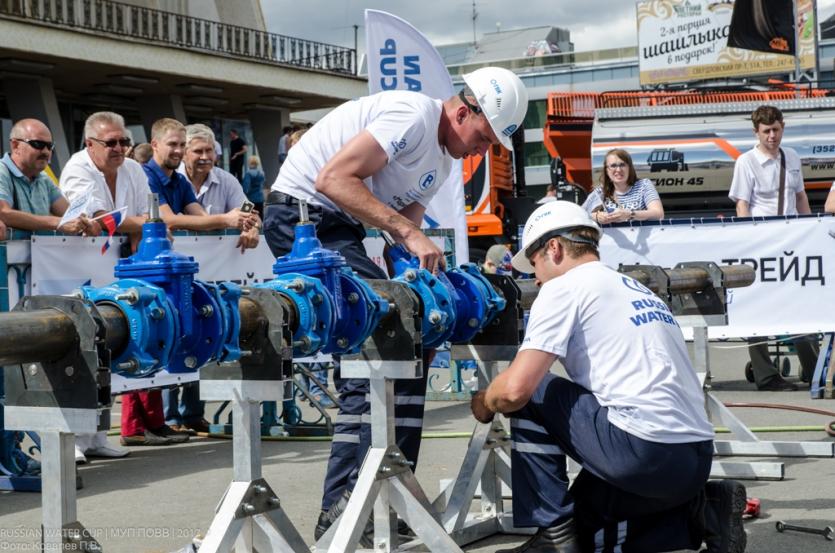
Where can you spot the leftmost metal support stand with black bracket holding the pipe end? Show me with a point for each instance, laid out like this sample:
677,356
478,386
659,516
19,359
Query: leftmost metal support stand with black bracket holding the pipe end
58,399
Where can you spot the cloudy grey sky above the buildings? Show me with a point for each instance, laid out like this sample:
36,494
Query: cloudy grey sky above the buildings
600,24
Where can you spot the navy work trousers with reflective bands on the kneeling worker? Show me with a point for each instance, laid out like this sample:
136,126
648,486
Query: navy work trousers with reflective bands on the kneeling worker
631,494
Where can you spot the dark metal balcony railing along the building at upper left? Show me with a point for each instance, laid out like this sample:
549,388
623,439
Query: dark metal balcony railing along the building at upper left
192,33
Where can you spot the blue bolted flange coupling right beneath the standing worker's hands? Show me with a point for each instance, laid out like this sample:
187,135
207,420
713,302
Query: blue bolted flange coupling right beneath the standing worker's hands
436,293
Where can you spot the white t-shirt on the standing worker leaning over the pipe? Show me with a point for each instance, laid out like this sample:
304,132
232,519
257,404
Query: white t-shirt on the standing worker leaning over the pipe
404,123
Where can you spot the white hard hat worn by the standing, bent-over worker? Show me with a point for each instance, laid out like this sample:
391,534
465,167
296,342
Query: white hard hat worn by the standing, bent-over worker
502,98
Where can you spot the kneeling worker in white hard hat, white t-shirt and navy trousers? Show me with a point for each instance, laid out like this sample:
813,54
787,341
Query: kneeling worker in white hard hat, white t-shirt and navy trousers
632,414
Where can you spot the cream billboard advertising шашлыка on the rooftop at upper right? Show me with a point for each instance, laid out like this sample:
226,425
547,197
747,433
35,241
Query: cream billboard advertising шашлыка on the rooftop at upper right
687,40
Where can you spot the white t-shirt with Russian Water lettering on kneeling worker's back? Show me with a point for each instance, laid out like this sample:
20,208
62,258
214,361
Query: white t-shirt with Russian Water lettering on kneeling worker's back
619,340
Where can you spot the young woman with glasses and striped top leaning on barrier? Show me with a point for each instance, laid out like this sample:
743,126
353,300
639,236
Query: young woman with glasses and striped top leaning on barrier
621,196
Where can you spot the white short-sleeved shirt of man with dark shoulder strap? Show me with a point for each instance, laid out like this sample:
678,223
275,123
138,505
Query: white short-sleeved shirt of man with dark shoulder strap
757,181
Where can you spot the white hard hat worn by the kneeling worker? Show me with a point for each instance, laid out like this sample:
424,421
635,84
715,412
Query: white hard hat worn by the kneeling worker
545,223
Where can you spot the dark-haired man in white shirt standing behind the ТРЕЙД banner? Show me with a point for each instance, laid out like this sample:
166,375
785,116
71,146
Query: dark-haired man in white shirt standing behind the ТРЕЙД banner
768,181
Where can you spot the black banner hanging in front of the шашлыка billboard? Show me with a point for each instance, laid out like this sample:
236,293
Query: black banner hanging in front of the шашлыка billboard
763,26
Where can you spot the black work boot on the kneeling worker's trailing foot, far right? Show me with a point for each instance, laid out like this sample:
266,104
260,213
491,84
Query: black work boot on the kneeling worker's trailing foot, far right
725,504
